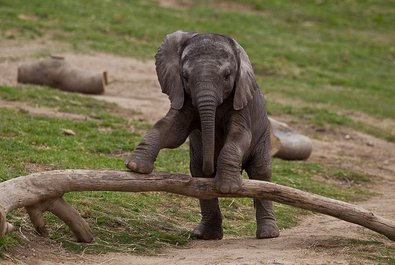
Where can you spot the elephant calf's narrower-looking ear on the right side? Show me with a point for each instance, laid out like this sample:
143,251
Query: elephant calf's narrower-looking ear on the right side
245,80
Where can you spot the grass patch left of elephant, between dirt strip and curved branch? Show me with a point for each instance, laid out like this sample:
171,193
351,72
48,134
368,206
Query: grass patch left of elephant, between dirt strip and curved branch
40,140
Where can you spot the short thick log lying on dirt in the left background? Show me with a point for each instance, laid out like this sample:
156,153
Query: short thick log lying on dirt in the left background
56,72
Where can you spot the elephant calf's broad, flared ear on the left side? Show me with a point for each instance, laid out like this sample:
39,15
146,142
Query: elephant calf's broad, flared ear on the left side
168,66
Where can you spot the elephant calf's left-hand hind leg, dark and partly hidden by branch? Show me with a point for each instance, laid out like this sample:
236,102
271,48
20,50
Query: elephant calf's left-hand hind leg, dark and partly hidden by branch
210,227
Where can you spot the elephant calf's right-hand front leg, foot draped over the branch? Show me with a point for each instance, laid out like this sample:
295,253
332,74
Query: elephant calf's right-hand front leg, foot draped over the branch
229,165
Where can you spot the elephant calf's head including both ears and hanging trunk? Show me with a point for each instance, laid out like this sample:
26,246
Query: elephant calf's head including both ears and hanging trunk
208,68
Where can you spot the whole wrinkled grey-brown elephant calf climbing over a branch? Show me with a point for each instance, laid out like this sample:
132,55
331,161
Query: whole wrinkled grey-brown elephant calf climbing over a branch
216,102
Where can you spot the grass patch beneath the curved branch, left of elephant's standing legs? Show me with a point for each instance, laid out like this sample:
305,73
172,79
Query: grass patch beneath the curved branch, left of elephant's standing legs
124,222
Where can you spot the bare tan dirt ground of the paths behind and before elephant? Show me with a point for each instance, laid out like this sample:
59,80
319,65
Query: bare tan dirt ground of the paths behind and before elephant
133,85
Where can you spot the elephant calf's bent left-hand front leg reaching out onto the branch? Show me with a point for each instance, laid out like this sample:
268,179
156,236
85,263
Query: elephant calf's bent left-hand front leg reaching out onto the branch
169,132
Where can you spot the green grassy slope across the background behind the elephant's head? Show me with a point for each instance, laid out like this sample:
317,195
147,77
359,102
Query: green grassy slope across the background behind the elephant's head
335,52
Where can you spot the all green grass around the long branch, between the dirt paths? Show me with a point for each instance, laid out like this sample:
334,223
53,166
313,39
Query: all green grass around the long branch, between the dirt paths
131,222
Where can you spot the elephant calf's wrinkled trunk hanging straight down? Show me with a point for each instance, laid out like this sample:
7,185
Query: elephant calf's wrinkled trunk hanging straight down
207,109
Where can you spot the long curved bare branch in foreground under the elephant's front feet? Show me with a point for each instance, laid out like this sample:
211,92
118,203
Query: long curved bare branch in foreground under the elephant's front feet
43,191
